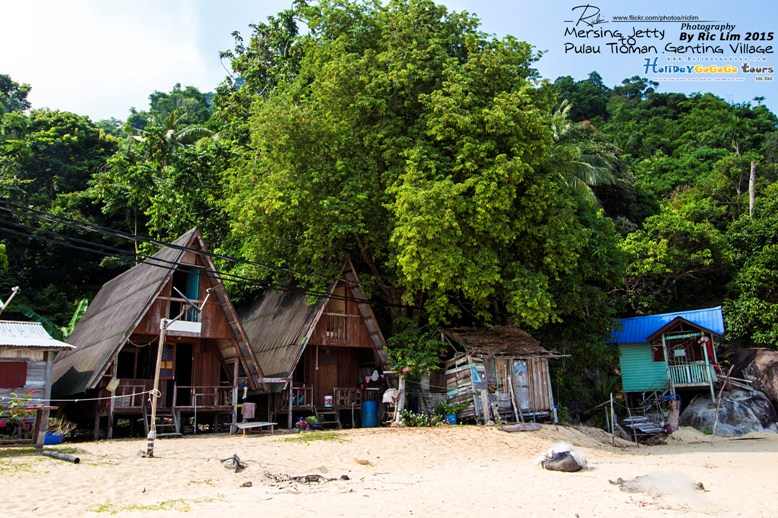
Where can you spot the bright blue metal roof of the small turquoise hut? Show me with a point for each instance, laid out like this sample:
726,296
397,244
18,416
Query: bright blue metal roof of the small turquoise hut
636,330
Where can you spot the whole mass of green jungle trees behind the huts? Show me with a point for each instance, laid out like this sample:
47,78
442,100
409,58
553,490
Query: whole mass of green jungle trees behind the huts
466,188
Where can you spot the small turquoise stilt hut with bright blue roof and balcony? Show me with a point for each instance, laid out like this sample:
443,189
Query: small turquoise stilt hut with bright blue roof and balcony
670,351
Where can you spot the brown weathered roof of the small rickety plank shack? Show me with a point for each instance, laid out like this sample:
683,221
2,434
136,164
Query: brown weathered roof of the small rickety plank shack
505,341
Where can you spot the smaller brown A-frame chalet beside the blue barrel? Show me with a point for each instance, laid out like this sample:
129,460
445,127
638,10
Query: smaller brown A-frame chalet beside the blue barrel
319,354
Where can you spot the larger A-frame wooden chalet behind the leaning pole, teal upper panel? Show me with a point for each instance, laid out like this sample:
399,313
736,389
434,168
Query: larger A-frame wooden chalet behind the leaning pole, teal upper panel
205,352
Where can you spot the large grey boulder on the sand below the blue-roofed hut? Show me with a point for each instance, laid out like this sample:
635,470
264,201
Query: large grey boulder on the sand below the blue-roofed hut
741,412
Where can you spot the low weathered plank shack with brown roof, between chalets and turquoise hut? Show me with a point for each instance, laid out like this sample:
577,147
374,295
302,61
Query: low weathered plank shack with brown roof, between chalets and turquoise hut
503,364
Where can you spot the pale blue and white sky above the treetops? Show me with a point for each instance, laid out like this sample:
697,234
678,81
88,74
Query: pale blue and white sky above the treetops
102,57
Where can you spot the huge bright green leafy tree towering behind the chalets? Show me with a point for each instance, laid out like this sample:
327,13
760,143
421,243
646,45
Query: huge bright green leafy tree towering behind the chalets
401,134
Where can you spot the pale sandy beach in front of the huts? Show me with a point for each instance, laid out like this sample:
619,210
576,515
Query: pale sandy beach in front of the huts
446,471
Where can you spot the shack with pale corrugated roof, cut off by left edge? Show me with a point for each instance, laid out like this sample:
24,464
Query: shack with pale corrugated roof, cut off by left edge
26,353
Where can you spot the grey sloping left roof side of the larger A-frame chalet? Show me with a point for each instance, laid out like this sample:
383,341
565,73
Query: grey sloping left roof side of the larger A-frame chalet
110,318
